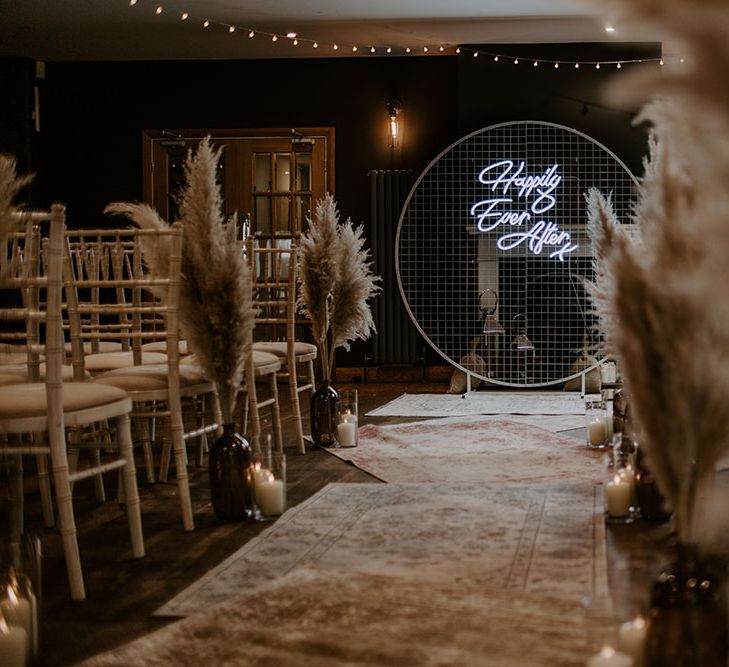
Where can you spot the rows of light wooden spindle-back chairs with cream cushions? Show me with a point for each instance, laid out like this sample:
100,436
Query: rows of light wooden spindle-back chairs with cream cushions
127,361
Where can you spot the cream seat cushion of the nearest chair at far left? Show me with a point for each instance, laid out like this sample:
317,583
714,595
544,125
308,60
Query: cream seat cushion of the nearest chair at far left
29,399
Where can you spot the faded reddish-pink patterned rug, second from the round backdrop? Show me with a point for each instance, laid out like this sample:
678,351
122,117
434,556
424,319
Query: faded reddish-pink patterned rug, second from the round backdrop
471,449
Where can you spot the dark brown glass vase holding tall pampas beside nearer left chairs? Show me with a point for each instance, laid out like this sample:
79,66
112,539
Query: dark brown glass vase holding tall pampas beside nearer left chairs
231,476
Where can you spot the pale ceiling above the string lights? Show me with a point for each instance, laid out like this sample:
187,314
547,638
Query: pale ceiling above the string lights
117,30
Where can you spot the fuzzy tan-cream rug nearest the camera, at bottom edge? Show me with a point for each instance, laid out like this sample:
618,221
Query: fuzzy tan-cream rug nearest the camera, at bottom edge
311,618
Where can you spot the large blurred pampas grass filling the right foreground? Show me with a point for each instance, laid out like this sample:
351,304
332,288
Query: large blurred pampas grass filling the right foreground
659,296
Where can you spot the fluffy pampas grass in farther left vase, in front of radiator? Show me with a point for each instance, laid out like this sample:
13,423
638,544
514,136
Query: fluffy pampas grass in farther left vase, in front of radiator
336,282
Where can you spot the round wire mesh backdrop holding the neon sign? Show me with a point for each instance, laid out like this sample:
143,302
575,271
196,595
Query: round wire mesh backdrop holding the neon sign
496,226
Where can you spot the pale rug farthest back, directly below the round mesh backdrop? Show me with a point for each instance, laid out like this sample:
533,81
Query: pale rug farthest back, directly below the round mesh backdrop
484,403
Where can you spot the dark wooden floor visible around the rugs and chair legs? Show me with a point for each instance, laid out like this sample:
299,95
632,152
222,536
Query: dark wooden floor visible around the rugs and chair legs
122,593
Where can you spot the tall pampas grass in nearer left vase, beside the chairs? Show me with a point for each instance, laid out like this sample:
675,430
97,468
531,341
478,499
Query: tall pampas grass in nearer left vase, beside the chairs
216,298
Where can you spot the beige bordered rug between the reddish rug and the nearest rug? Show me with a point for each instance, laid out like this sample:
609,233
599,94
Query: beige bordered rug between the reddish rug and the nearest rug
539,539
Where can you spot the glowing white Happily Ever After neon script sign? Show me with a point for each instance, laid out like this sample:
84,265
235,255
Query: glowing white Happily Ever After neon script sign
538,192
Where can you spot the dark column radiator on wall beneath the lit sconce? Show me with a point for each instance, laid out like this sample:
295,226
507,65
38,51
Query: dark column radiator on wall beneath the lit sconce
397,339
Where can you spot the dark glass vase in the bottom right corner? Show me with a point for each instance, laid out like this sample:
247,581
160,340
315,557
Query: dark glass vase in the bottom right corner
688,615
